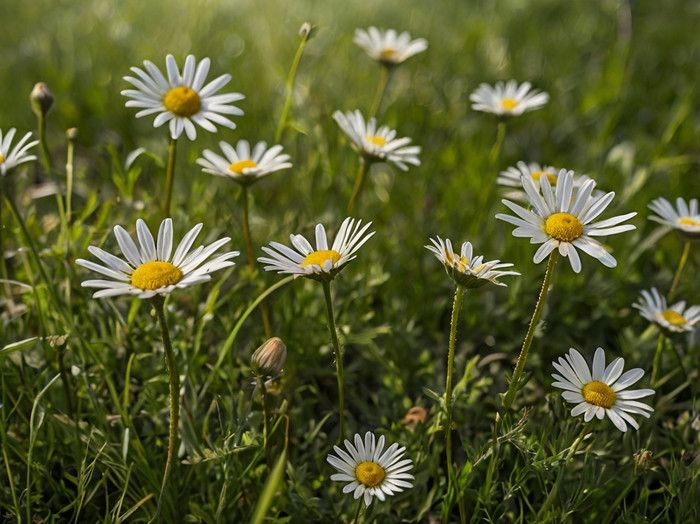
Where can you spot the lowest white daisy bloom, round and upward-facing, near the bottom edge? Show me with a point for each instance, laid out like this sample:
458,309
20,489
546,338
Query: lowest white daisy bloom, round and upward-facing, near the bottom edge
370,470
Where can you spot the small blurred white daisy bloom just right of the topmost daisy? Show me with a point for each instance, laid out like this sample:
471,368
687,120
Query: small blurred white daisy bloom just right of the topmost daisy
507,99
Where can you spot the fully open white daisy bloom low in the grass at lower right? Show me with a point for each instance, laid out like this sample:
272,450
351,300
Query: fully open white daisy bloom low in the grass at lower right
602,390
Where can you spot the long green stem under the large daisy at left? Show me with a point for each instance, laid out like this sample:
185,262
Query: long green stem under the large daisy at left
173,393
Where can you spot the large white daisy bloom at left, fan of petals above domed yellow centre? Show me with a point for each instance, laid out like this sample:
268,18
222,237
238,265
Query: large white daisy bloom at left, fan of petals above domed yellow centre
152,268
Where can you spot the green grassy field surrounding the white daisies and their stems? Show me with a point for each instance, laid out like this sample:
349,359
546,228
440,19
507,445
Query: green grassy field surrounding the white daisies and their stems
84,386
